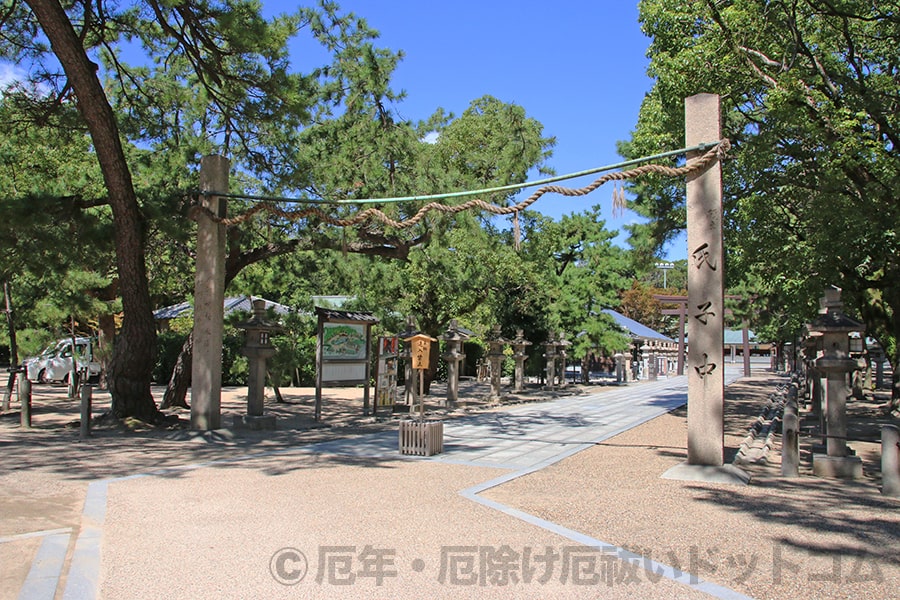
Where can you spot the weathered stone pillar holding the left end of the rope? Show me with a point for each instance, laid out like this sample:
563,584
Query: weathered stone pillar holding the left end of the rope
209,299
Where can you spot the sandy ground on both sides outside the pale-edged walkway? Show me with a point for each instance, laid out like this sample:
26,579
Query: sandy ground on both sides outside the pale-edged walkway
776,538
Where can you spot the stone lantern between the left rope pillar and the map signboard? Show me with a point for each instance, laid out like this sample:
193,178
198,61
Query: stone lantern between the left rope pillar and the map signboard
257,348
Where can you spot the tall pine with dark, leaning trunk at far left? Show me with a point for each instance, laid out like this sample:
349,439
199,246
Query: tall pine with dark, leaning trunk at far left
214,78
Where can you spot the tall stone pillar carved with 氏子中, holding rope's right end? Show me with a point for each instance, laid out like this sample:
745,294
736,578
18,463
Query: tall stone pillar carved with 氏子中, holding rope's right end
706,292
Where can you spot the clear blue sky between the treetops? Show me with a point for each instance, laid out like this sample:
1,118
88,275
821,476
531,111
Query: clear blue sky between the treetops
577,66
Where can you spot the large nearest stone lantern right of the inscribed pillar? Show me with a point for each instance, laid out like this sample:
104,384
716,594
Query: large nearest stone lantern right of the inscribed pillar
835,364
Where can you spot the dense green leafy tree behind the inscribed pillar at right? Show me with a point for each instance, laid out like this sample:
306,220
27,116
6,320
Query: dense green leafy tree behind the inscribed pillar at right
809,94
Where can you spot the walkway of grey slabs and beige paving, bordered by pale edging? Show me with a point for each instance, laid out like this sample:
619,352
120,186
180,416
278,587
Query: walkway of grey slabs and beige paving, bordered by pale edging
227,516
